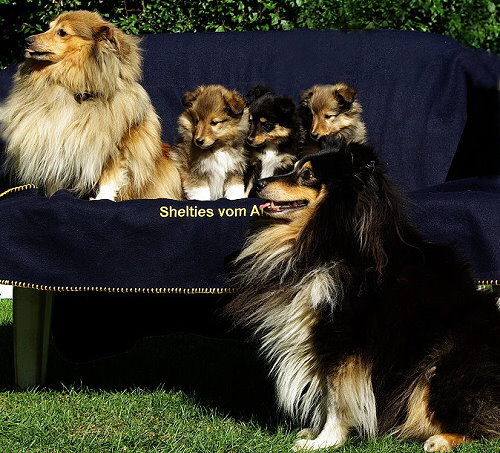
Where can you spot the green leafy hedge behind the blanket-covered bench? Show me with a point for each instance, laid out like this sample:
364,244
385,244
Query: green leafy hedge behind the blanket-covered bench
473,22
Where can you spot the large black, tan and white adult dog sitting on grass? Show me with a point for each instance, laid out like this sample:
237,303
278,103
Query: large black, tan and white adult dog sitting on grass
366,324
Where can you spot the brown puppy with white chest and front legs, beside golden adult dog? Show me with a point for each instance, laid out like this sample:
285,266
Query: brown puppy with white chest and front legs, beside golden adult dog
210,152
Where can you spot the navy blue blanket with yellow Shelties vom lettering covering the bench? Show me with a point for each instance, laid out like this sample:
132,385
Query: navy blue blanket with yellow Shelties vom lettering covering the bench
431,108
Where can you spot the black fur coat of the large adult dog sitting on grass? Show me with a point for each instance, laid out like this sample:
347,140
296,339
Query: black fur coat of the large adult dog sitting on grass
409,306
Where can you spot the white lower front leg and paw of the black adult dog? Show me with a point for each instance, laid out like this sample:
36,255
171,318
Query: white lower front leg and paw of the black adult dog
333,434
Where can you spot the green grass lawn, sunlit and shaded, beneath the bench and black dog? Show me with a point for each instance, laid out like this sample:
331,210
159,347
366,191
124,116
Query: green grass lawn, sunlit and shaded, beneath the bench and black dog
206,416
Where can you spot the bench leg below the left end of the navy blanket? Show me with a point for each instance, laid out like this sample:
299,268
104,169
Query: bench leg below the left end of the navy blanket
32,311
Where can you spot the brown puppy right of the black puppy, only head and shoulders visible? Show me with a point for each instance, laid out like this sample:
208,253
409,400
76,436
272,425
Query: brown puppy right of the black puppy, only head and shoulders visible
331,110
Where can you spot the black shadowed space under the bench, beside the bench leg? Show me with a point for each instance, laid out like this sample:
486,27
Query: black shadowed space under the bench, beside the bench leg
174,342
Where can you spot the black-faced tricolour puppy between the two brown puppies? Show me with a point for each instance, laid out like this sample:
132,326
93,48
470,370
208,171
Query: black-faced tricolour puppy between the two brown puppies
275,136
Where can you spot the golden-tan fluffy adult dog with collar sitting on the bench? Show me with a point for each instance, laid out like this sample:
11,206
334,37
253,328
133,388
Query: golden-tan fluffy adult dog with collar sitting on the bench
78,119
